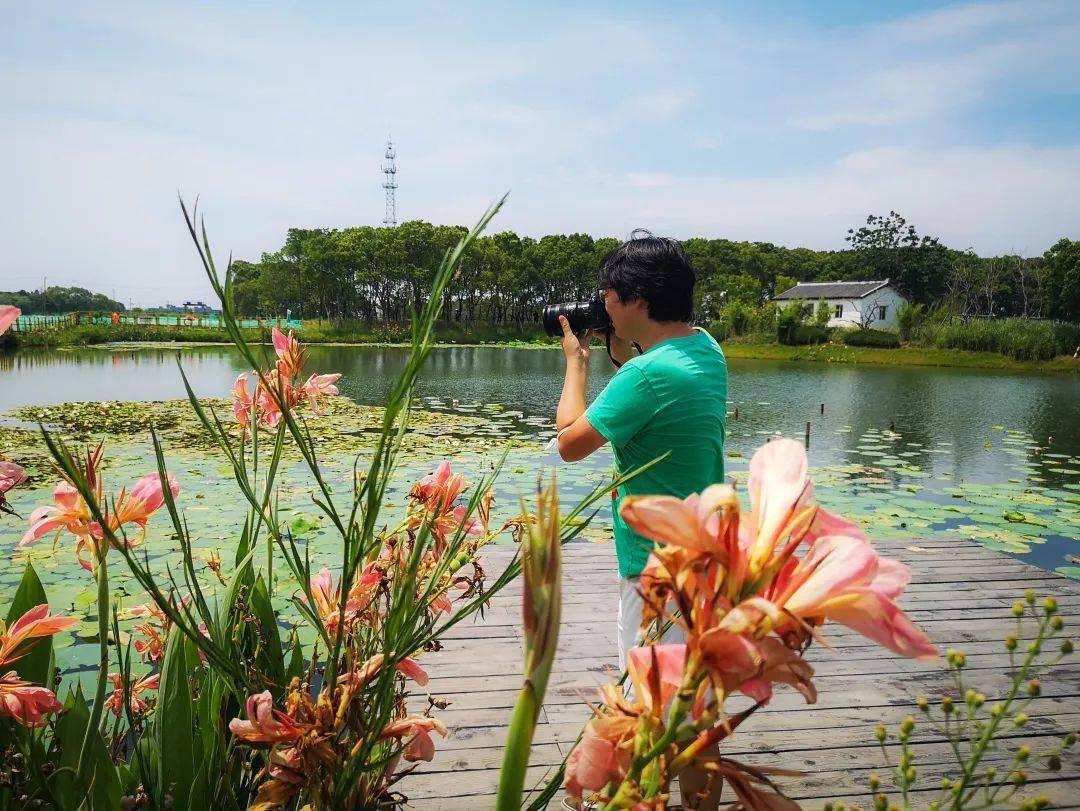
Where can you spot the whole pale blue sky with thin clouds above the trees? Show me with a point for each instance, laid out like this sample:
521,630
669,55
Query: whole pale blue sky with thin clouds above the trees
786,123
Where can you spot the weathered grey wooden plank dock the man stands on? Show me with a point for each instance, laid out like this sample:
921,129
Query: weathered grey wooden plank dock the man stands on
961,594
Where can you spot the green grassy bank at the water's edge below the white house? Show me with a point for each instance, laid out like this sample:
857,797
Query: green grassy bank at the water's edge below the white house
903,357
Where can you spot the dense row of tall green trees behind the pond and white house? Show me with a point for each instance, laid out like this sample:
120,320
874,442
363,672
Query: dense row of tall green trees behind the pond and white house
383,274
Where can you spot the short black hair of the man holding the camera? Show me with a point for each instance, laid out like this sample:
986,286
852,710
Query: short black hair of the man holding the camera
655,269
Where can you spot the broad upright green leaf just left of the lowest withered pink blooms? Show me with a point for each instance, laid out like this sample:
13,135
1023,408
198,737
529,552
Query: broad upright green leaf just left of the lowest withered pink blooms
174,723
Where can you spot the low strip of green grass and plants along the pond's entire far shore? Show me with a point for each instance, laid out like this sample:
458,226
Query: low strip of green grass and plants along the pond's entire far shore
748,347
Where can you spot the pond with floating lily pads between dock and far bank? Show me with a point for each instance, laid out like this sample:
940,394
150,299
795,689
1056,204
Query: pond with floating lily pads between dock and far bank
911,453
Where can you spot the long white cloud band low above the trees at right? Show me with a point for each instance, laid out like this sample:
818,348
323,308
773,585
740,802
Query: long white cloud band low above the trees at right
1001,199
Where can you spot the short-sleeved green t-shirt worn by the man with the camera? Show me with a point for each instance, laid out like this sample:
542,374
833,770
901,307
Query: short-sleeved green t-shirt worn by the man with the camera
672,398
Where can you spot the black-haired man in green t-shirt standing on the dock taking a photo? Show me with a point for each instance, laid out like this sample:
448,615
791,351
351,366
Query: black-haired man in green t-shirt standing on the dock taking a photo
670,398
